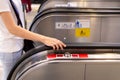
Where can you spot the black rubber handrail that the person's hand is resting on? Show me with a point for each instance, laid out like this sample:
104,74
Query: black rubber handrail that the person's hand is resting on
69,46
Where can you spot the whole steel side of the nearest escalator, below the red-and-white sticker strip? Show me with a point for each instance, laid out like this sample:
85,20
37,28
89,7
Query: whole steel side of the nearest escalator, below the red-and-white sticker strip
96,67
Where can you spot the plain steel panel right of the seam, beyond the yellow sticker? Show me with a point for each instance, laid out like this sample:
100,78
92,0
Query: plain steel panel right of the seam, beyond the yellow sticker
110,29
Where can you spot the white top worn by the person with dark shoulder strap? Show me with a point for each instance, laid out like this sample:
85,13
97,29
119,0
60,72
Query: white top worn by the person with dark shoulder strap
8,42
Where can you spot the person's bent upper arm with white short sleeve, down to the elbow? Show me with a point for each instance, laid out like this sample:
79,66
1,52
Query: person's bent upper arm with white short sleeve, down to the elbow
5,14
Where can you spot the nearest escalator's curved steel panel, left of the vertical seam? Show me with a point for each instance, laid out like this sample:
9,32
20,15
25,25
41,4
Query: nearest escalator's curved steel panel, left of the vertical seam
55,71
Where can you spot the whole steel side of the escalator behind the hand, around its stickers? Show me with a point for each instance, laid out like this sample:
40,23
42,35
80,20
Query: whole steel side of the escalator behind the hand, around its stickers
103,28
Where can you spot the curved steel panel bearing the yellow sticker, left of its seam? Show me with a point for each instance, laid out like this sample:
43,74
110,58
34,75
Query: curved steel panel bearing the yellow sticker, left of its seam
47,26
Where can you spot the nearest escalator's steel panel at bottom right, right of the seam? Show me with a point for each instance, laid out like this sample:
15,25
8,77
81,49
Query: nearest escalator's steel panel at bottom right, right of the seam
103,71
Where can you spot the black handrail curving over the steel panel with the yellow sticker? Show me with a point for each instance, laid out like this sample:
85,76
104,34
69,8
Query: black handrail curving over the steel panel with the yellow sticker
72,10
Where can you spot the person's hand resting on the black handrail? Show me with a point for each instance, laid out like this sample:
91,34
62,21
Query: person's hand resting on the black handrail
53,42
